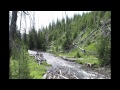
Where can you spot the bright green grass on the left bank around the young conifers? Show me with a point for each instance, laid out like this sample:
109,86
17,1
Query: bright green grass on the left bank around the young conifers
34,70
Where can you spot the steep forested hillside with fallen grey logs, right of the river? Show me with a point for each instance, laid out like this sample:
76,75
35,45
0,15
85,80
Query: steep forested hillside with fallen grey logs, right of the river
79,36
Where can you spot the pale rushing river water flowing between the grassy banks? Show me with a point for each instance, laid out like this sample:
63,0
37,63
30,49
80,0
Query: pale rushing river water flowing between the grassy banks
58,62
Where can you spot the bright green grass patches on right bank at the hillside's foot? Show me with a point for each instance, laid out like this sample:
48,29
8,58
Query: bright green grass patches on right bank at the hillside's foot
87,58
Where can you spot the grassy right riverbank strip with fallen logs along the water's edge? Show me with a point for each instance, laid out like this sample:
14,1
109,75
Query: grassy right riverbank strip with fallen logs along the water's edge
92,60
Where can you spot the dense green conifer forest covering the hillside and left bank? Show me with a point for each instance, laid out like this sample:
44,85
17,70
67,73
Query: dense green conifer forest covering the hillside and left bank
86,35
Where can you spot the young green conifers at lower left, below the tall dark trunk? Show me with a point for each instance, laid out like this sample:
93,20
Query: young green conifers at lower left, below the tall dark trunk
19,63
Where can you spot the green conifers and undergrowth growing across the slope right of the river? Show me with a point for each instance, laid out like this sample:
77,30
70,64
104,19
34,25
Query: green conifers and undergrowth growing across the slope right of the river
63,35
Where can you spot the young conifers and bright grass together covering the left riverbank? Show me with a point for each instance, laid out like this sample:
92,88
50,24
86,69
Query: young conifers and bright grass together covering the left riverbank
21,65
